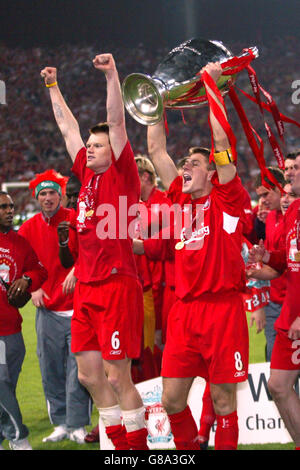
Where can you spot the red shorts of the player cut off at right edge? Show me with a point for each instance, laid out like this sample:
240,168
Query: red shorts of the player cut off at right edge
285,352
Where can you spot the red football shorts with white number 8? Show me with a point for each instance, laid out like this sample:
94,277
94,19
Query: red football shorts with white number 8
208,337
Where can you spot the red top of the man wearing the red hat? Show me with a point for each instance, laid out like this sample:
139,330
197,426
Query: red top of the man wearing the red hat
41,233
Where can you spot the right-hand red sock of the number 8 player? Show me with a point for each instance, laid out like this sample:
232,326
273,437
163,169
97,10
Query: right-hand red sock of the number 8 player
227,432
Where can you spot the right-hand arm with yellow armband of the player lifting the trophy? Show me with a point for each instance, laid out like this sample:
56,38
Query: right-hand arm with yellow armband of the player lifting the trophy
225,168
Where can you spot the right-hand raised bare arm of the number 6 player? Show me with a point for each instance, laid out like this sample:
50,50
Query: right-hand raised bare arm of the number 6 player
114,103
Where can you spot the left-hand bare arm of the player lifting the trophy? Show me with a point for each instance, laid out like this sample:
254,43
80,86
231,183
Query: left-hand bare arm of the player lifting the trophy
157,149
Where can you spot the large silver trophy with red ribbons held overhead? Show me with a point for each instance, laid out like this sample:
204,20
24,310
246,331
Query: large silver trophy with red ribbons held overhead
176,83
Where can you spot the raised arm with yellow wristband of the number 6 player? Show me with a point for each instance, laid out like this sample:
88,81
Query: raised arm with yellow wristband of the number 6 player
66,122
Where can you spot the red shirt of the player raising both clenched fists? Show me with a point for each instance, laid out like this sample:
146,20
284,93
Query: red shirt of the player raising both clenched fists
103,220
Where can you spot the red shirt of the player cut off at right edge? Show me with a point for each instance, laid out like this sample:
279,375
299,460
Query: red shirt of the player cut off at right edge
291,305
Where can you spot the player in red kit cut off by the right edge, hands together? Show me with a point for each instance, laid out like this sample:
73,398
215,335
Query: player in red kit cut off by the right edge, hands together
284,361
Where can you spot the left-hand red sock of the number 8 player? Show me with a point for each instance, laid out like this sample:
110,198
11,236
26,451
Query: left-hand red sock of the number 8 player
184,430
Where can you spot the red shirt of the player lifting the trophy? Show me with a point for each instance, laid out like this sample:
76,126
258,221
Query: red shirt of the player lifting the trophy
211,261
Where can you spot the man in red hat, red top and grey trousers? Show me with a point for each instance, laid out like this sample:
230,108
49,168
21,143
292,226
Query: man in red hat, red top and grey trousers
68,403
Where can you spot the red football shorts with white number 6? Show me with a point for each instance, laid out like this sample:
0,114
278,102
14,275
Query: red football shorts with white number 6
108,317
